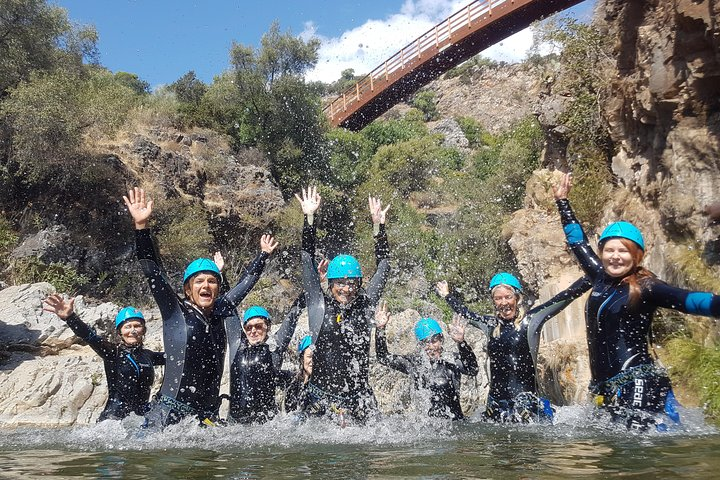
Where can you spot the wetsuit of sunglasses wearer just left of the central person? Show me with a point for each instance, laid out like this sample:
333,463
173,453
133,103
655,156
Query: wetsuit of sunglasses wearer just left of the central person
256,372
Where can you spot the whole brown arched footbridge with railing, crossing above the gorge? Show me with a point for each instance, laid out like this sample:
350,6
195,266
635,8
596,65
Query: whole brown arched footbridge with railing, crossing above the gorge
464,34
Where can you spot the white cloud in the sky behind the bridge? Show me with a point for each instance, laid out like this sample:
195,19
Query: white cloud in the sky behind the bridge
367,46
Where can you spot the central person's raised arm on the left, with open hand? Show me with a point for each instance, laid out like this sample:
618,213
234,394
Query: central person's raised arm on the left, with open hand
314,298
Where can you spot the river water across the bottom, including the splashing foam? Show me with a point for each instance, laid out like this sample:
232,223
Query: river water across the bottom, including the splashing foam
397,446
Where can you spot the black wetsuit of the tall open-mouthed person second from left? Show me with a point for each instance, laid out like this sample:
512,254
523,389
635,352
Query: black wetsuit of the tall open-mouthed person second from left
194,344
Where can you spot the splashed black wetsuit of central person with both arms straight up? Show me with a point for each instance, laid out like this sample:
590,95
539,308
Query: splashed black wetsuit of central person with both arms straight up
341,335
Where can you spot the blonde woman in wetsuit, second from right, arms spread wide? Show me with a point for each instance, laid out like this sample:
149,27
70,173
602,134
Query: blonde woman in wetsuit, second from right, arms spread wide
513,342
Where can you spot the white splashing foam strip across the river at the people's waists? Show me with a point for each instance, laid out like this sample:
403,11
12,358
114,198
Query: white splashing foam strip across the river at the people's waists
573,422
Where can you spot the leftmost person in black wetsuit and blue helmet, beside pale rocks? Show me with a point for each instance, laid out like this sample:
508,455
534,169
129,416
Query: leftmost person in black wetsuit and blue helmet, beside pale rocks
129,367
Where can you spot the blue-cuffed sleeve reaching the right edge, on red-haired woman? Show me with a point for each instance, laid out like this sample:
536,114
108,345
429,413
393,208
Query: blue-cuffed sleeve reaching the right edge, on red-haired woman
660,294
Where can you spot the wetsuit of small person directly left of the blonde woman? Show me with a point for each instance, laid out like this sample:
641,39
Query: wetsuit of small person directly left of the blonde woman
440,377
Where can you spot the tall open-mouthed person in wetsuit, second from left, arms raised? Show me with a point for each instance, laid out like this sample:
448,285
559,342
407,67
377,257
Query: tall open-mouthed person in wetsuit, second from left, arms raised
194,333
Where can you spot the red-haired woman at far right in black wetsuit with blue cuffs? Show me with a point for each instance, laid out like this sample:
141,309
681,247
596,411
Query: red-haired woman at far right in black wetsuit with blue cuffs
625,379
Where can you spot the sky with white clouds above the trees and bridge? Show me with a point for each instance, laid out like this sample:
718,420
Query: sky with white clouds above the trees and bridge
160,40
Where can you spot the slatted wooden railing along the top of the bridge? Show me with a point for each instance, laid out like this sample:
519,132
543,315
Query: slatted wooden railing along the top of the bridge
427,45
